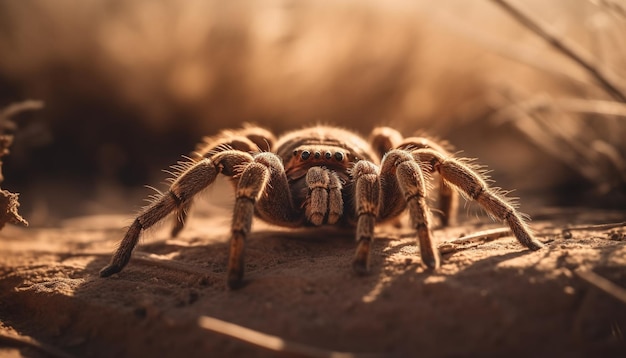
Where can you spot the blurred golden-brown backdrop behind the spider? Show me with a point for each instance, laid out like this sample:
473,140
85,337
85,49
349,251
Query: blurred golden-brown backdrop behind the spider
130,86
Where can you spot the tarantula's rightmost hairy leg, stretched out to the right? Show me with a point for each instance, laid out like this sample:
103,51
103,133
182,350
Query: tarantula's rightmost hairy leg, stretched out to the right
475,187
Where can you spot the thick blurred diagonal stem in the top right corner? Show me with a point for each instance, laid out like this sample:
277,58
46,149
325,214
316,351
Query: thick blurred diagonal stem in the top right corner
607,79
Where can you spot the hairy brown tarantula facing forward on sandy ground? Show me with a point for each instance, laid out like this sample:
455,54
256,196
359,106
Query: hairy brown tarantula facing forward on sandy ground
324,175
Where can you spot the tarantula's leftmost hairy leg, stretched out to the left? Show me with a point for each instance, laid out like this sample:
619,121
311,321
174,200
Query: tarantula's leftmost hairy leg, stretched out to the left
197,177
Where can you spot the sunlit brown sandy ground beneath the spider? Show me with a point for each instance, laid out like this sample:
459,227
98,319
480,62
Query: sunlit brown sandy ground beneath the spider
488,299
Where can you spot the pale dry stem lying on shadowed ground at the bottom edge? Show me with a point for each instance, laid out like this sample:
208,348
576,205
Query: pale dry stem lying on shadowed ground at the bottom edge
270,342
